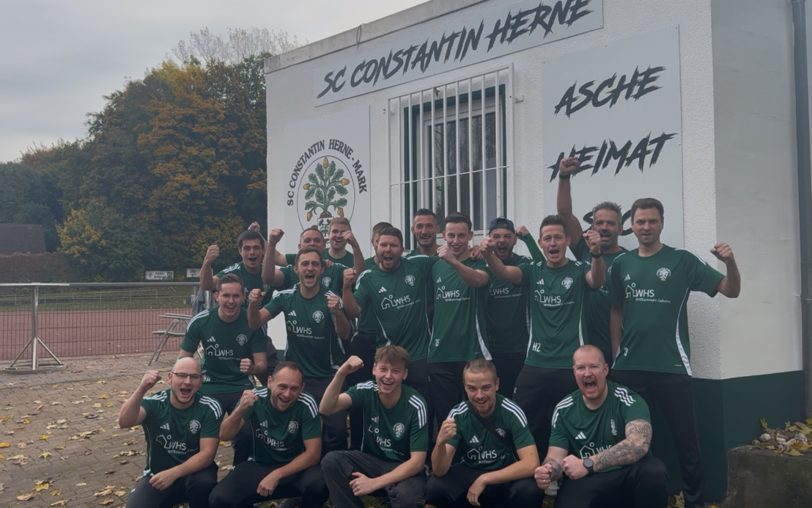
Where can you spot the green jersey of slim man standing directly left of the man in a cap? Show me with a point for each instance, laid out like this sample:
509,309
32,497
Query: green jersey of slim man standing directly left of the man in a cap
458,333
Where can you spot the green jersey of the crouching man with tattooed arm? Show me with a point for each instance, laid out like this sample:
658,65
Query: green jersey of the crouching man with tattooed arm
585,432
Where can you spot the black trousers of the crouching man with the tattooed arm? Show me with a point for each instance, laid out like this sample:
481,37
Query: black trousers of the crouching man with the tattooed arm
639,485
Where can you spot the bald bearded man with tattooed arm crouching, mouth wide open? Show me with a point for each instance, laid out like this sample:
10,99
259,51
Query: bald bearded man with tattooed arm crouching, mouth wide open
599,464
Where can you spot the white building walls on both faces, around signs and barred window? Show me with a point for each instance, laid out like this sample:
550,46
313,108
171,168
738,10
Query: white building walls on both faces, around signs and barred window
732,130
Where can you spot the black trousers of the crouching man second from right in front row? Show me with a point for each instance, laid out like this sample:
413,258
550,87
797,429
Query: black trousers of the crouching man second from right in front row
452,490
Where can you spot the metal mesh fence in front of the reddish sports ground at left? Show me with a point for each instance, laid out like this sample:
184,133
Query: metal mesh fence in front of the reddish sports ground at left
86,319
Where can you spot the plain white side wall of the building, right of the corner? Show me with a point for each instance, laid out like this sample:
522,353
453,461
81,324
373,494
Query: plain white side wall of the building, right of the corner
757,200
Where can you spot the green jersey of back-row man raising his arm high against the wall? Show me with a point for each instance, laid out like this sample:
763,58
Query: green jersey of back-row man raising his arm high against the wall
597,304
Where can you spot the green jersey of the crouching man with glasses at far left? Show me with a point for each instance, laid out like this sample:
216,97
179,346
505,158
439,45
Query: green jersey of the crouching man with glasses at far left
173,435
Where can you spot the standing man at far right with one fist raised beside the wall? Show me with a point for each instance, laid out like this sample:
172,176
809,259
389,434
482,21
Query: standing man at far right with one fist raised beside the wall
649,288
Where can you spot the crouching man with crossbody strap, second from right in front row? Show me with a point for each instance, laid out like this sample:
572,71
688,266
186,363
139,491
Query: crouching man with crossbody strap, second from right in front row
489,433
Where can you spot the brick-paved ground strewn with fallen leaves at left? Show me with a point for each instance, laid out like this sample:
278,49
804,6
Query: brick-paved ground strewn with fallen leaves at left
60,444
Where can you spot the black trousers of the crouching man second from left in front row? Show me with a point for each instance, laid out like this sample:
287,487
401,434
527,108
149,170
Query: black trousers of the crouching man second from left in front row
239,488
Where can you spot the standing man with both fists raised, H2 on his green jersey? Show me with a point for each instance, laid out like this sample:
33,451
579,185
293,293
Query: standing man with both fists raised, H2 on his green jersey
557,286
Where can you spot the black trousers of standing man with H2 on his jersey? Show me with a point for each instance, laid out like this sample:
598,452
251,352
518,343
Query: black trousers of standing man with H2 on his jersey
538,391
